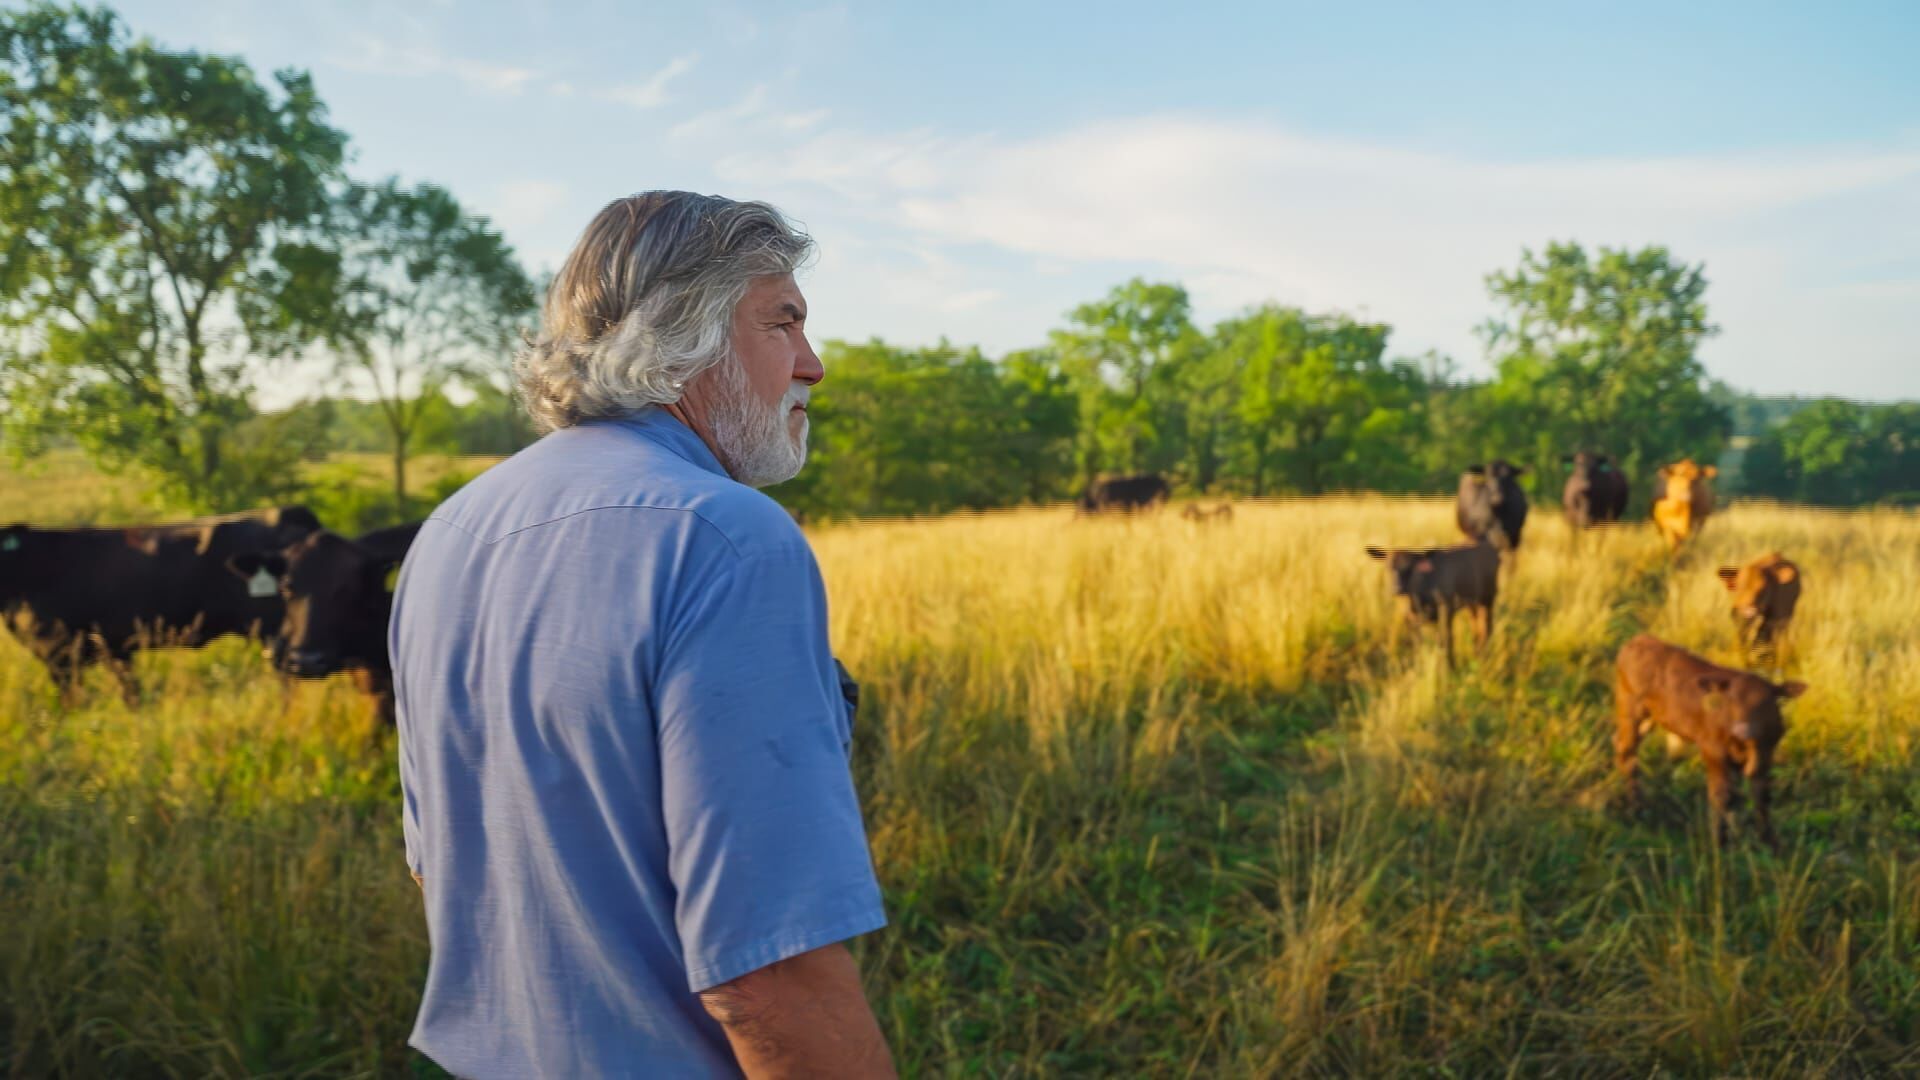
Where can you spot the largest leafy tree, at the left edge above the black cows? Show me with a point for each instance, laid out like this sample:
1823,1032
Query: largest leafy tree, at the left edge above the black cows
158,237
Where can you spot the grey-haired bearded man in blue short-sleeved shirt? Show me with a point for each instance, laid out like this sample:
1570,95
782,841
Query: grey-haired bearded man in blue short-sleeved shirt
623,733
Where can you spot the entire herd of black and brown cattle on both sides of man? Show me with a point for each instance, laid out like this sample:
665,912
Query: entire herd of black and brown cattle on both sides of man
322,602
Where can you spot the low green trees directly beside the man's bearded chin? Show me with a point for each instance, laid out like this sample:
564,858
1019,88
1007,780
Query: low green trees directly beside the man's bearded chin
900,431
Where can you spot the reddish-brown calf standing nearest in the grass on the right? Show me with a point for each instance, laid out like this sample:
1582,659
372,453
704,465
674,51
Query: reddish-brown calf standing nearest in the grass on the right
1733,718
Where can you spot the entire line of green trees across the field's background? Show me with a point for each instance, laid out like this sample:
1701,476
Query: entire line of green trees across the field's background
176,230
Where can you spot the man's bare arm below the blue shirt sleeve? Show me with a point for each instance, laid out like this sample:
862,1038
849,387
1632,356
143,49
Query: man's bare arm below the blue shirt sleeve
805,1016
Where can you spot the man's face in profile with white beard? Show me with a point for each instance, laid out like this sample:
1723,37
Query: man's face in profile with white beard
754,406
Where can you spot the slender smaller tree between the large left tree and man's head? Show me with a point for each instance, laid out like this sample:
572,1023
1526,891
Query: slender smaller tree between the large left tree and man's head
433,295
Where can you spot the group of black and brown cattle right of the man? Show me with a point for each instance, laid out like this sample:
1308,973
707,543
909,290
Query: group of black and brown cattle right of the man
1731,716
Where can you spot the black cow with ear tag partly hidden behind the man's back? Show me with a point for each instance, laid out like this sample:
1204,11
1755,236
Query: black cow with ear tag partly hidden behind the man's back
339,604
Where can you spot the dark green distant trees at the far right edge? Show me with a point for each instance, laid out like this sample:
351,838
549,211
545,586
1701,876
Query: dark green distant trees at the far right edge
1838,454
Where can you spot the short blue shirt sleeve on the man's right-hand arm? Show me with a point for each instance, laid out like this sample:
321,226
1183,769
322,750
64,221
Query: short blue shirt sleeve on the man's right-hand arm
767,848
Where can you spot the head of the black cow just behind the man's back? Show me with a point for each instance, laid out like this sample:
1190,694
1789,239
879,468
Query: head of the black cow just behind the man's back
337,602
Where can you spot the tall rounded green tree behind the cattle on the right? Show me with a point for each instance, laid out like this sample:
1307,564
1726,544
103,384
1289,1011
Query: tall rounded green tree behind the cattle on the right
1598,353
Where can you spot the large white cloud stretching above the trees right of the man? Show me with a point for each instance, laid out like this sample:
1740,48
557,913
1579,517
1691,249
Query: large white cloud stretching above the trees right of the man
1243,212
